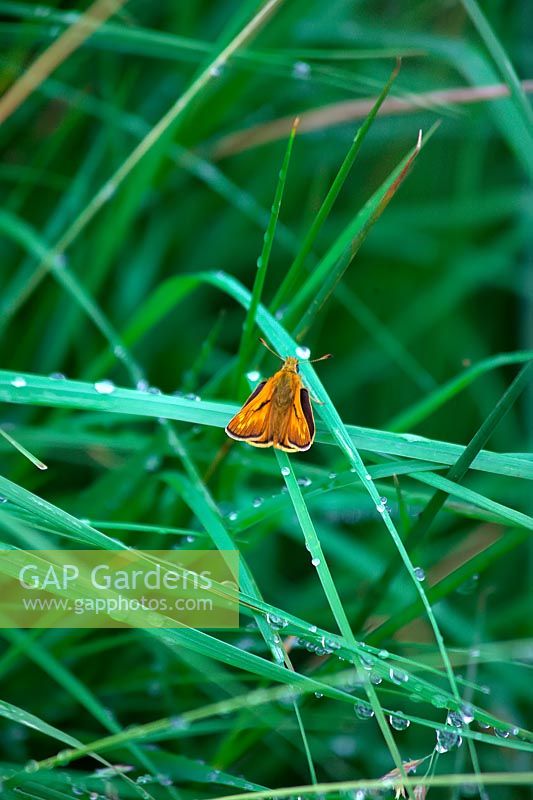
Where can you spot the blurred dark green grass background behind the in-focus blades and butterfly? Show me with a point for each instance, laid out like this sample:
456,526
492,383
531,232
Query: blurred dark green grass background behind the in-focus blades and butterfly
443,282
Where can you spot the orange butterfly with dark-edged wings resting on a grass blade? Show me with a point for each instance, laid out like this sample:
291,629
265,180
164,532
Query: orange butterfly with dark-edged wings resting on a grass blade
278,413
